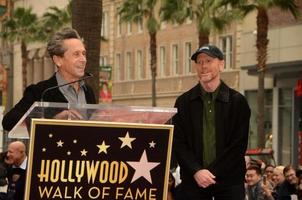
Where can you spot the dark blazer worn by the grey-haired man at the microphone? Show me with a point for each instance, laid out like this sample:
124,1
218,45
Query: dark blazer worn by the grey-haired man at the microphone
33,93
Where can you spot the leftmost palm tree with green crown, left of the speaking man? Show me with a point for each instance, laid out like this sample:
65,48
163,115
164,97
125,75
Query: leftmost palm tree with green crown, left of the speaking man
21,27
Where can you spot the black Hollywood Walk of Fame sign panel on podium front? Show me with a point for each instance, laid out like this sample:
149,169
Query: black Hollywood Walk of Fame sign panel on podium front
69,140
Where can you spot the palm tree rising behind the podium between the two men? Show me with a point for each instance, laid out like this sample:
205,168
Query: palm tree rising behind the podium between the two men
135,11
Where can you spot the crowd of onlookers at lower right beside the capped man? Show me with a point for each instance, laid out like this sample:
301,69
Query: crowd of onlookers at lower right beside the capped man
273,182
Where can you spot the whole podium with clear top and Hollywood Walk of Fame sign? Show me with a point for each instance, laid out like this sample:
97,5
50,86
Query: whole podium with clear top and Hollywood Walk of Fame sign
113,152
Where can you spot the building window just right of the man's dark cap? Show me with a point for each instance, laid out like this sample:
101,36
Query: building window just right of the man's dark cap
226,45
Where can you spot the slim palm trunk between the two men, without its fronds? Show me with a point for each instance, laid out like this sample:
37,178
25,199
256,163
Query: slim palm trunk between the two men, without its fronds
153,65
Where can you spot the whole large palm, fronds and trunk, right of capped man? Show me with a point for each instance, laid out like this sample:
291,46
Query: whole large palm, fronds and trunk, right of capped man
261,7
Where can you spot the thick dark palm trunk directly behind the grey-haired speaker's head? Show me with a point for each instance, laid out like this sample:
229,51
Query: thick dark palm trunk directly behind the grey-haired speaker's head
86,19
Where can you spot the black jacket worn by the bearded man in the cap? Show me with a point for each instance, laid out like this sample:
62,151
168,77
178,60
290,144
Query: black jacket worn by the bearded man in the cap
232,115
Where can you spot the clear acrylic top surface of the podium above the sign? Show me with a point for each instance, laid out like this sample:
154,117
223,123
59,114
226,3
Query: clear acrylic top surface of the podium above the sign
92,112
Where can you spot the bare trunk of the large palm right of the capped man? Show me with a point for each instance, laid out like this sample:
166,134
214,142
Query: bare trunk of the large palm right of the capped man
261,44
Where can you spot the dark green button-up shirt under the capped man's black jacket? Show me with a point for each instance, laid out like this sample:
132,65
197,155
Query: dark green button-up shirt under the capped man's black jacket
209,135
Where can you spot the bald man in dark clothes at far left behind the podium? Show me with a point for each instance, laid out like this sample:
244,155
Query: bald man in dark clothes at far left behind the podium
16,155
